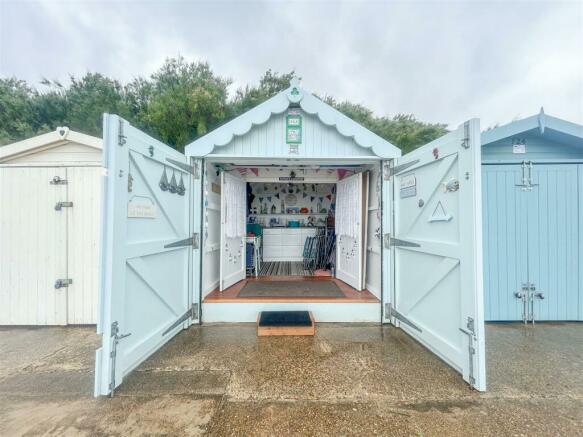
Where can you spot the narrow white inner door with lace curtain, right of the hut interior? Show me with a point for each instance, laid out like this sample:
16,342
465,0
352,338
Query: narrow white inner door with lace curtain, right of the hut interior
350,230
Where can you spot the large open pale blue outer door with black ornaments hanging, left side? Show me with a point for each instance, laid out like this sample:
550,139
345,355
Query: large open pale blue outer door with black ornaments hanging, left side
151,207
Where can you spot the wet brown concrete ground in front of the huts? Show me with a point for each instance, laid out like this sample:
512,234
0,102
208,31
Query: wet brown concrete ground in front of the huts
347,380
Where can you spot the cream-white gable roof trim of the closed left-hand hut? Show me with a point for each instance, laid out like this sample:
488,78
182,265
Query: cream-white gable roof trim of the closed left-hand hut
61,135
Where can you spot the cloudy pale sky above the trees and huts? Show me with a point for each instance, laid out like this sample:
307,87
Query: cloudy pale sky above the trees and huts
441,61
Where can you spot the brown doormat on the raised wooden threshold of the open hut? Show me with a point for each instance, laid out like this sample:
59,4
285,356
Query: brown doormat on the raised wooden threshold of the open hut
291,289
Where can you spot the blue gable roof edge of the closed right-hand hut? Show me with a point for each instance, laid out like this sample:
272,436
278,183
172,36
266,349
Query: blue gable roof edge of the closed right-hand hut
543,124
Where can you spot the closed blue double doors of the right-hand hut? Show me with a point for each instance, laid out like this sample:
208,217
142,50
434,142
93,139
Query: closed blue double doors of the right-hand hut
531,242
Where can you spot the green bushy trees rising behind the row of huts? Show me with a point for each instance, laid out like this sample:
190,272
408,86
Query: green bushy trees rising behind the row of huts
179,102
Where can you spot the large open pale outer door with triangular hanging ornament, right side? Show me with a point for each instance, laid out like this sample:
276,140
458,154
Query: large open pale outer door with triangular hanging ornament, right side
437,243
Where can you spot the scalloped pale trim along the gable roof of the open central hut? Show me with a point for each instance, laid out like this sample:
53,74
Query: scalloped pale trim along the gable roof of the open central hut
296,96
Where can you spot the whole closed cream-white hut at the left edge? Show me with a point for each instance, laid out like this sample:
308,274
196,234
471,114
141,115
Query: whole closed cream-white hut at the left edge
49,229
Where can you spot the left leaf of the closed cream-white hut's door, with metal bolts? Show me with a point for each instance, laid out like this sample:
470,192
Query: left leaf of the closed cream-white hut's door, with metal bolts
33,246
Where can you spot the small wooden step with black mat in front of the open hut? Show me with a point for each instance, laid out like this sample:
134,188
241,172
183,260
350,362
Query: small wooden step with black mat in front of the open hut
285,323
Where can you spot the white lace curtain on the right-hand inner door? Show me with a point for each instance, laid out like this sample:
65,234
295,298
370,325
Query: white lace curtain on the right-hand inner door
347,208
